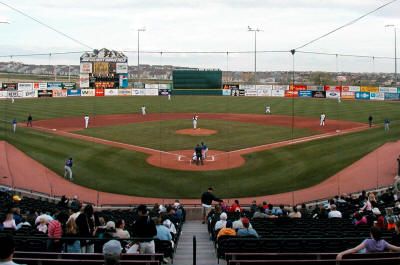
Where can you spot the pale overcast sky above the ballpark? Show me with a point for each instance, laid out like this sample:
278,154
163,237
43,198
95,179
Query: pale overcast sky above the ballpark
205,25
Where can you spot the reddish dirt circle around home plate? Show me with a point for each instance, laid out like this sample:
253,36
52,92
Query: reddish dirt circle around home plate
182,160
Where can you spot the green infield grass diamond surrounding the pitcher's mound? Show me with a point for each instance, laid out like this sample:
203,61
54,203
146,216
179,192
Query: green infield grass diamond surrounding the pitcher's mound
160,135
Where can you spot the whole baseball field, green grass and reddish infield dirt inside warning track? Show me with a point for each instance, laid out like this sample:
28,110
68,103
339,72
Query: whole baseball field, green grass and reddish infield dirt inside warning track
127,153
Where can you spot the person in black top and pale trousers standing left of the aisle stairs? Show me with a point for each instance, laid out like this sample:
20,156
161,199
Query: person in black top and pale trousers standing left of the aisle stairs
146,229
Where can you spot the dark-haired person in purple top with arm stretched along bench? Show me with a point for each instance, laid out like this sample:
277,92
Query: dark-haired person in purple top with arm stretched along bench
371,245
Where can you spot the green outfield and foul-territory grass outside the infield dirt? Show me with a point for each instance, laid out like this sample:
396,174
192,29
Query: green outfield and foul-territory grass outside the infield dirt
115,170
